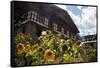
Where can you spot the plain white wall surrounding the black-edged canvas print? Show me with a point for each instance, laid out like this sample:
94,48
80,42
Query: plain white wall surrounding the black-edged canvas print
5,34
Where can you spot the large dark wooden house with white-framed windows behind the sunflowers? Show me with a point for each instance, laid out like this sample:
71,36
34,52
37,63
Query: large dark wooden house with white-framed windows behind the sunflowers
32,18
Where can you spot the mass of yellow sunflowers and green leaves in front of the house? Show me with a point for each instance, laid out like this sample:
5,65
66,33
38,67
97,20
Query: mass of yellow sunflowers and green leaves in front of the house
48,48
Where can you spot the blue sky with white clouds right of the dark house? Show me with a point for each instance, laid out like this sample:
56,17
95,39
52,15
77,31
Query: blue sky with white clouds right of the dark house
84,18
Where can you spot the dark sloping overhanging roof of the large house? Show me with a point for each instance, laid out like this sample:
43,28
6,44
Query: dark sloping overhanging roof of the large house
47,9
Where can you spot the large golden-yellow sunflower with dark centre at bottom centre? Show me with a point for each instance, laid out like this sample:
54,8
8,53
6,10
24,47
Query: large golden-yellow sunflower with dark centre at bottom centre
49,55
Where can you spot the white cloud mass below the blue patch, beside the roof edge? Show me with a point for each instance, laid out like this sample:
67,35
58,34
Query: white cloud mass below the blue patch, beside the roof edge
86,22
